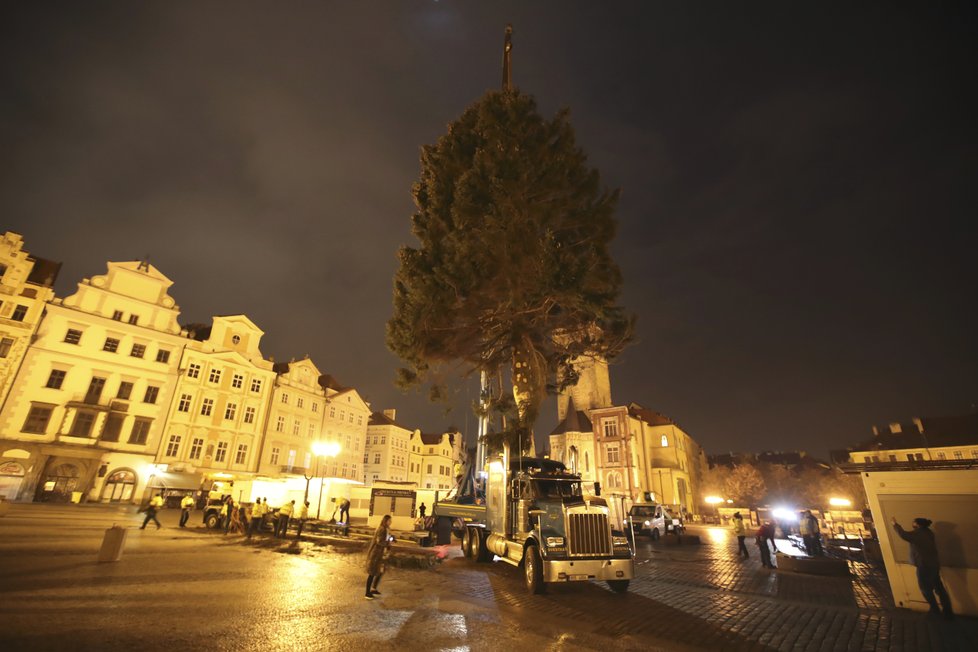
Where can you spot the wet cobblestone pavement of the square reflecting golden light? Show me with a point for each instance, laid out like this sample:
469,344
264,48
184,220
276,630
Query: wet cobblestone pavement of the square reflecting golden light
200,586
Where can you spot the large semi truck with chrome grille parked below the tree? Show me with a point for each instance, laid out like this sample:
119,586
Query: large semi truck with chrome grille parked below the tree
532,514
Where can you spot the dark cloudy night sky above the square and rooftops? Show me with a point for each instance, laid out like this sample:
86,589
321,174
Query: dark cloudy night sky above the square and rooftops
797,231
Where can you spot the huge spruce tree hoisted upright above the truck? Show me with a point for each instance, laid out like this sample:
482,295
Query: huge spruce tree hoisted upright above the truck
513,269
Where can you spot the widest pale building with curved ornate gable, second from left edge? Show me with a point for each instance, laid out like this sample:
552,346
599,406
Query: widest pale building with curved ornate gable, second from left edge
88,404
